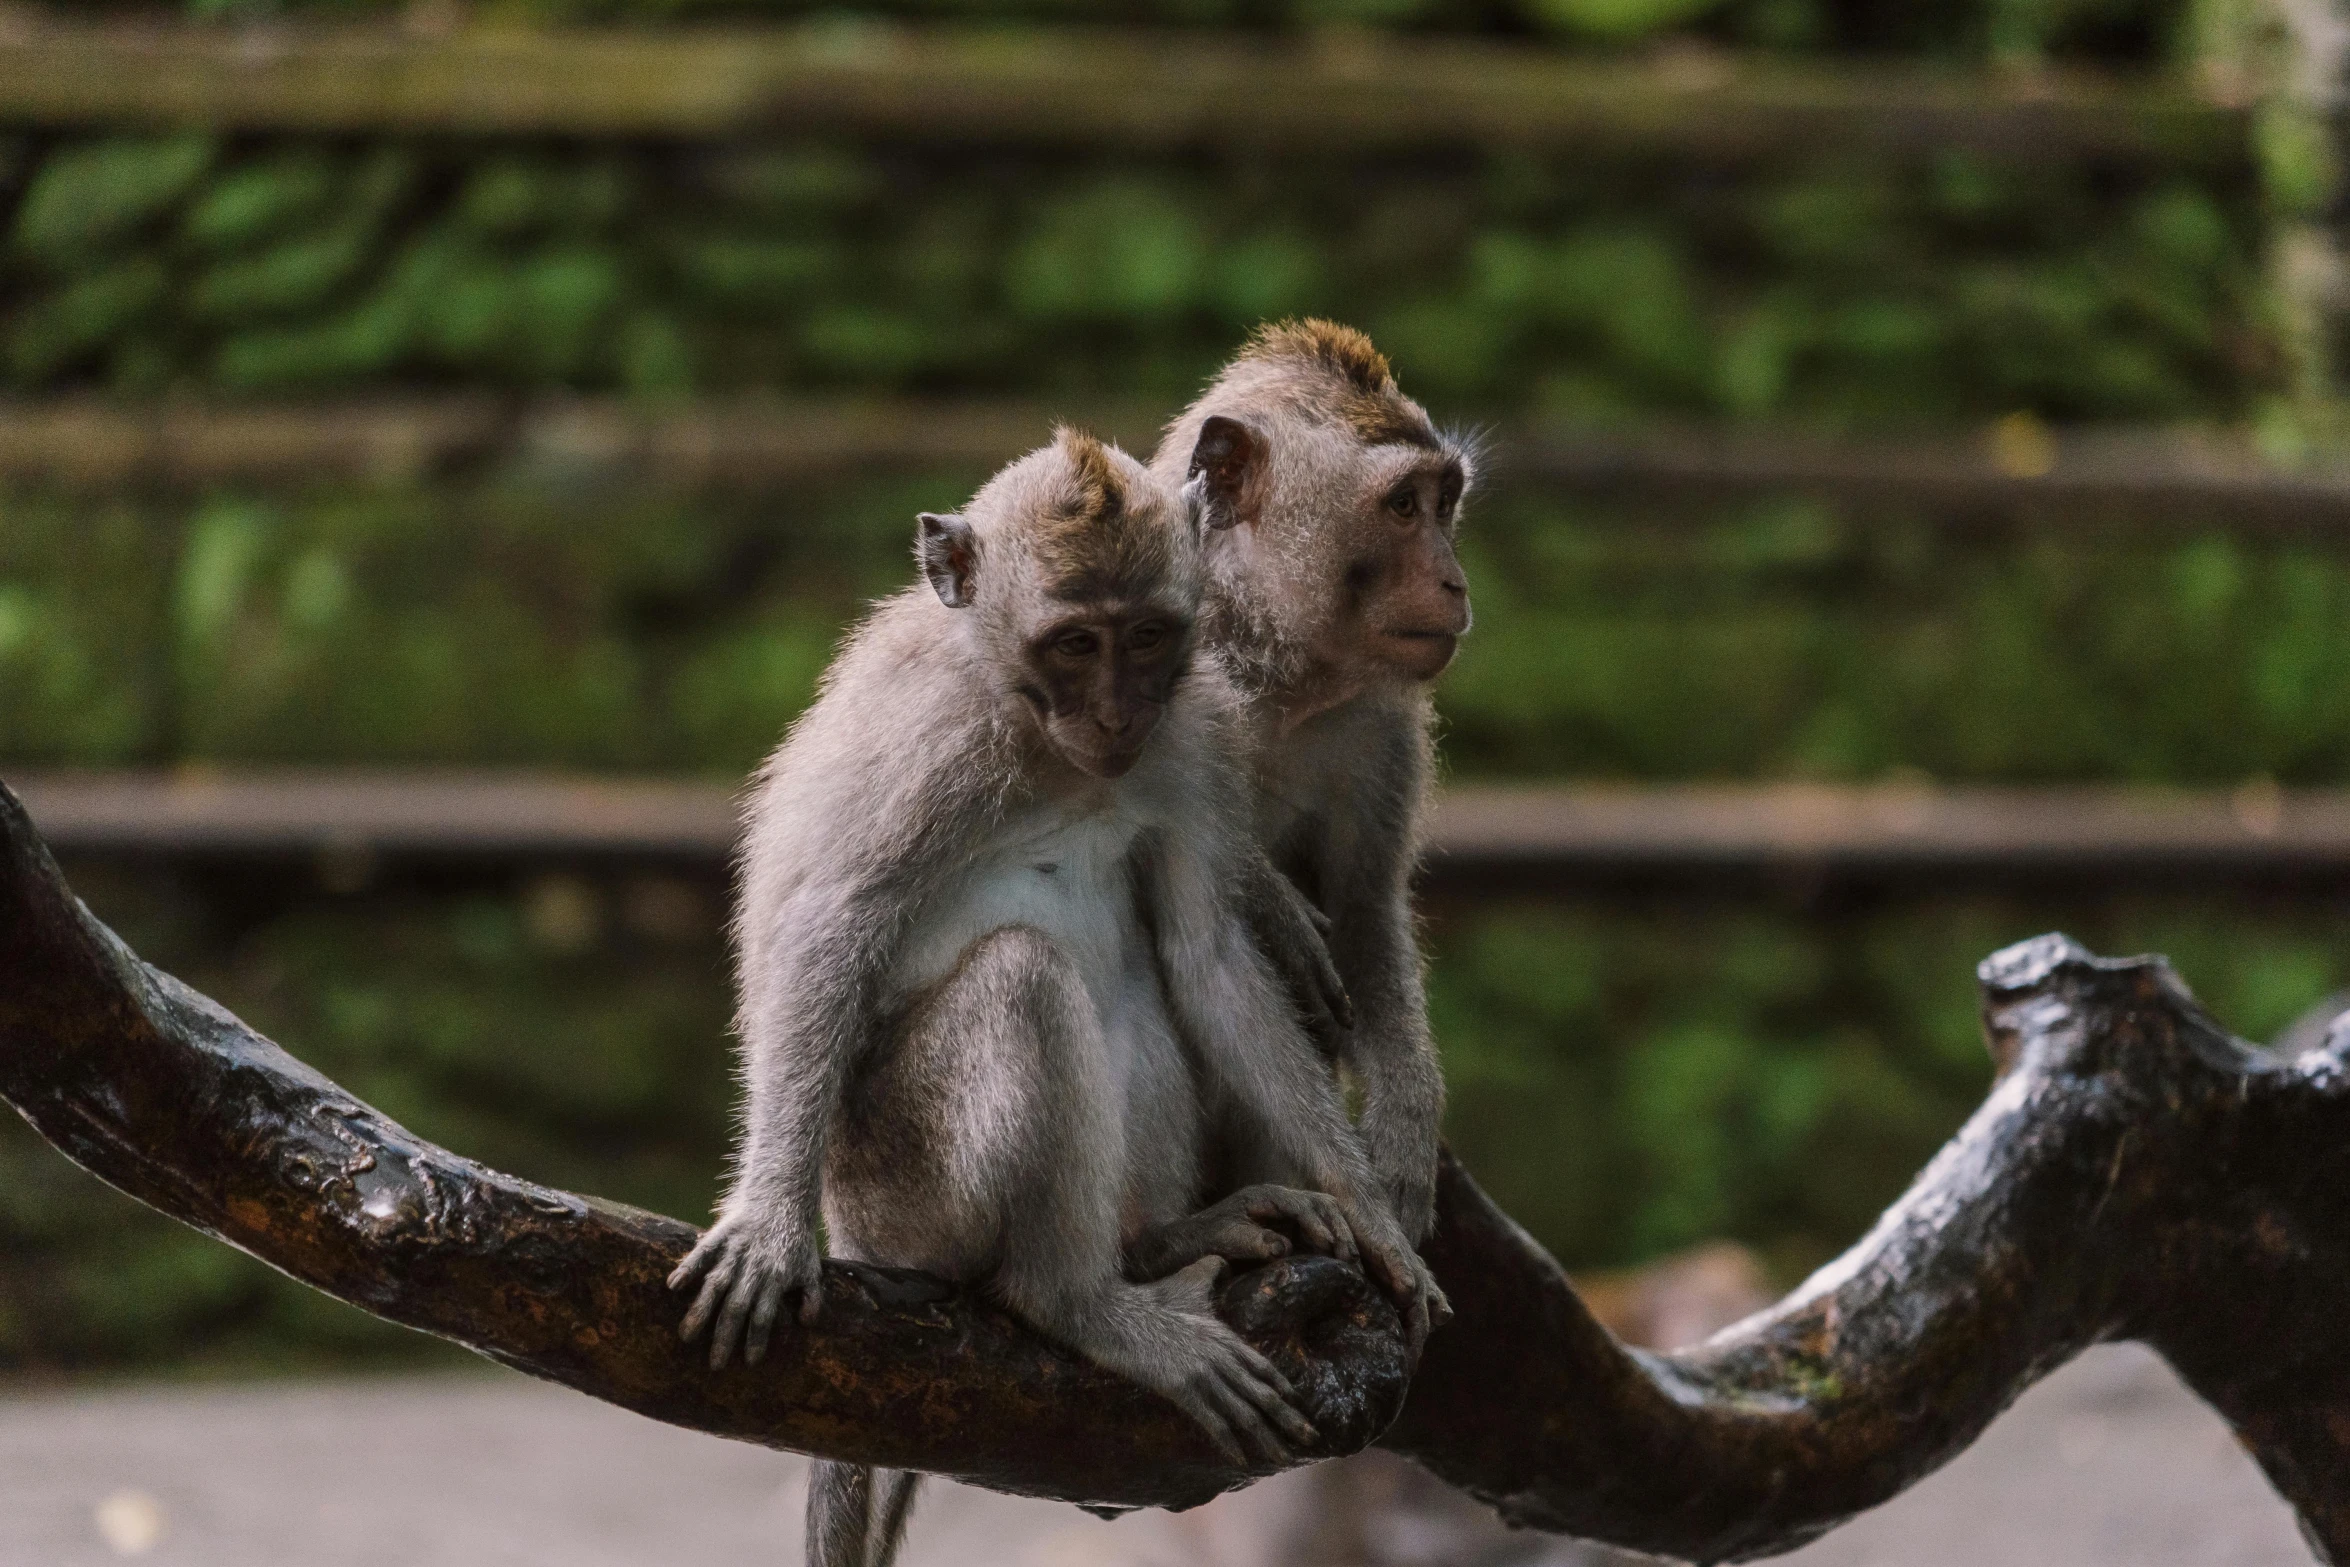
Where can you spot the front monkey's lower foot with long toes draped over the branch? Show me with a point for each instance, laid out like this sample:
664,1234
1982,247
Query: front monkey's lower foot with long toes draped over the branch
1216,1378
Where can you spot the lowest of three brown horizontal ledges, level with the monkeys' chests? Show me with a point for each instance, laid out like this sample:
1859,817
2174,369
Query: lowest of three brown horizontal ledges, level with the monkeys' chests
1477,830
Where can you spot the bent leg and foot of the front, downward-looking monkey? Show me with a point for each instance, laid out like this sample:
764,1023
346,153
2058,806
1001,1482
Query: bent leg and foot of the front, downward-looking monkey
1002,1080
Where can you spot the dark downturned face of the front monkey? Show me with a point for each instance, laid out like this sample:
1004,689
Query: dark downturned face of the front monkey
1101,678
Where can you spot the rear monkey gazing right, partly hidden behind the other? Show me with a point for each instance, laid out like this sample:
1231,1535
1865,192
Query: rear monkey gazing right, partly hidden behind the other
1336,600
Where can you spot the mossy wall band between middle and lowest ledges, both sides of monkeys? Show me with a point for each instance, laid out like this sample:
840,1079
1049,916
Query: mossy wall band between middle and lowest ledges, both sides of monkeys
549,621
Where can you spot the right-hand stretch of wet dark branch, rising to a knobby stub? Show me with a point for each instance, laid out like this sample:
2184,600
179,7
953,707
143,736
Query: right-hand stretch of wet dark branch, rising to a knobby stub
2135,1176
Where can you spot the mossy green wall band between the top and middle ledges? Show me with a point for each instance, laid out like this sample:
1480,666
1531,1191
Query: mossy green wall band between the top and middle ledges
1851,290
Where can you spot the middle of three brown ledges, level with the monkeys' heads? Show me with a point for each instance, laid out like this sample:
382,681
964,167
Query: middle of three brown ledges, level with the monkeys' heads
2144,478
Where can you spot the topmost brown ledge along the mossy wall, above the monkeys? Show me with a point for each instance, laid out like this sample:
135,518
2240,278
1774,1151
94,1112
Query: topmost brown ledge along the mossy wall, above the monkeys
1089,88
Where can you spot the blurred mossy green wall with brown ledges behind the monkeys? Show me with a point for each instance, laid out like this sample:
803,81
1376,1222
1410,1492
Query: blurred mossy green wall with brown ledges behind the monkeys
443,443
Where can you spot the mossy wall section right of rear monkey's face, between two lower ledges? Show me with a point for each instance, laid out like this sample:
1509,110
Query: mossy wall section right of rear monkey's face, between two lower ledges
1804,645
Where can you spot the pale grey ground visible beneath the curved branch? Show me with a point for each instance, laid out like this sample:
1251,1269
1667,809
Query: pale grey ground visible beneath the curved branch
2109,1465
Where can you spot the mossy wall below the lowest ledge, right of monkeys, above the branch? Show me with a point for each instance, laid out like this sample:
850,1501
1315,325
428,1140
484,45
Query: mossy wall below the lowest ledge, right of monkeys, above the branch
1641,1077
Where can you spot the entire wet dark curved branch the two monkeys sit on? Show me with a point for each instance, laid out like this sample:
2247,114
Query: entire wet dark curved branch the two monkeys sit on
2135,1173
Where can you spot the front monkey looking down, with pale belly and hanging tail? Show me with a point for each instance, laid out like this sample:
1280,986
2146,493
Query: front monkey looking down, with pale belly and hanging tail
998,990
